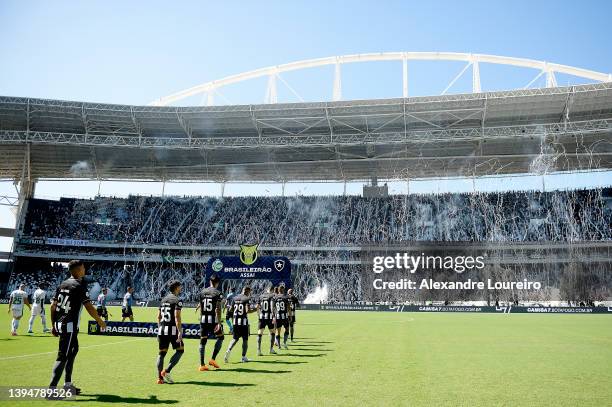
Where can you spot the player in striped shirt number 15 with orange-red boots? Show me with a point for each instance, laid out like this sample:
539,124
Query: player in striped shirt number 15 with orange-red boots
210,321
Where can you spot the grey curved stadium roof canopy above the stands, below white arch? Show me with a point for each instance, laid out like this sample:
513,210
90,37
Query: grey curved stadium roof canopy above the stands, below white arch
518,131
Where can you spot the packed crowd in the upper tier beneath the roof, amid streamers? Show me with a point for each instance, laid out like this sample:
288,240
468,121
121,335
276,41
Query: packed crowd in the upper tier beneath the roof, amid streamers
328,221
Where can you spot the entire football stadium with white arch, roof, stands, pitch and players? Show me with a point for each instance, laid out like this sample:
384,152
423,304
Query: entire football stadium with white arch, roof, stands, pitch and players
372,292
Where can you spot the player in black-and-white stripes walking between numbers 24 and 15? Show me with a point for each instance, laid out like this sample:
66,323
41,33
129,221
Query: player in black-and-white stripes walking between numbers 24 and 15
170,332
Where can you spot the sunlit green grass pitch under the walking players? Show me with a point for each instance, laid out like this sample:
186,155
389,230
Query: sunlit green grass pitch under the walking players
343,359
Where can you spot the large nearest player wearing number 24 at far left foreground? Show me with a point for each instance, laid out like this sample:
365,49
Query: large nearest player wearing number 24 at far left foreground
65,308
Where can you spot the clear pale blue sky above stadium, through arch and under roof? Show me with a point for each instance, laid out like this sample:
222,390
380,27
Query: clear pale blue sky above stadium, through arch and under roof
134,52
